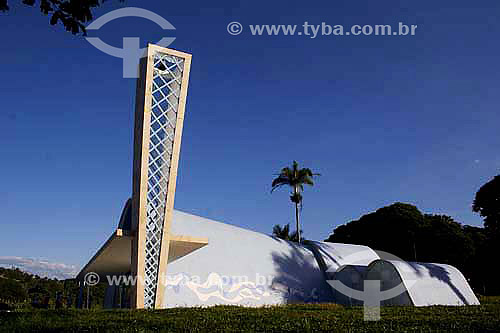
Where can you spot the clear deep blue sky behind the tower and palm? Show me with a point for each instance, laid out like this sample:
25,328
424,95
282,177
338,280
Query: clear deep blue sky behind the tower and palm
383,119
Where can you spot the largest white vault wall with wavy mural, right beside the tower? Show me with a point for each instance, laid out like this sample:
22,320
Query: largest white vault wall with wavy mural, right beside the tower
275,271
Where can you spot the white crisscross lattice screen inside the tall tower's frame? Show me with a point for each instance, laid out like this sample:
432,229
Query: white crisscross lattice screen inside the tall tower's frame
166,87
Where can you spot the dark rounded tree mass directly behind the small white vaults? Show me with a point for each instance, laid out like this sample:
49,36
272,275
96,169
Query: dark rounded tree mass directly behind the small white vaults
401,229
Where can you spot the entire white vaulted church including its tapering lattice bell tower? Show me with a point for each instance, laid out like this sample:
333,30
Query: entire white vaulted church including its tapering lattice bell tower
178,259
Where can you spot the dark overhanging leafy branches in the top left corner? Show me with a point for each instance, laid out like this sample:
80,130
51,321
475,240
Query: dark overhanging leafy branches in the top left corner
72,14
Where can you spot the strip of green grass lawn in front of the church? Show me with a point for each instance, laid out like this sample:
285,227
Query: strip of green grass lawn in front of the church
320,317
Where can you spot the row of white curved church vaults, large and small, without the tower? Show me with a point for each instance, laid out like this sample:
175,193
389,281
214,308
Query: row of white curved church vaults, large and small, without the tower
244,267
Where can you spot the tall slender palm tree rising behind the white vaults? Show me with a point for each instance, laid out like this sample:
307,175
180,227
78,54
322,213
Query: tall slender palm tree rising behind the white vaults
295,178
